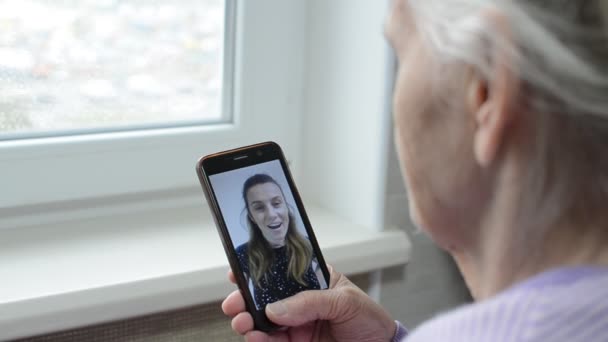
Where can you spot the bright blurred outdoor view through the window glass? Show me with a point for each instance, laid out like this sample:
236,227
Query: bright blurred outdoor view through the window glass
97,64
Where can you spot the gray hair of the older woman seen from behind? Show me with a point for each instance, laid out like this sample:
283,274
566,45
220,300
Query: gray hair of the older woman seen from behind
559,50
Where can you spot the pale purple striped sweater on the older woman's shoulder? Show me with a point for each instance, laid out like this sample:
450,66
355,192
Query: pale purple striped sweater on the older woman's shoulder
566,304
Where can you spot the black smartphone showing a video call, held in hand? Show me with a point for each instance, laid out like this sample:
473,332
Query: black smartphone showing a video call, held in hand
267,236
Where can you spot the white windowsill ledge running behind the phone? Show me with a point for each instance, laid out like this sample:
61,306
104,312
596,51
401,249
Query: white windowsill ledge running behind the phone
88,271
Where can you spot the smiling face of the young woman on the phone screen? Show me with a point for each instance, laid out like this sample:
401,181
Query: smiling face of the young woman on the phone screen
268,210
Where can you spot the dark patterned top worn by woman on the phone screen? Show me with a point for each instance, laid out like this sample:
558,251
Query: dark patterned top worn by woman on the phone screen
278,285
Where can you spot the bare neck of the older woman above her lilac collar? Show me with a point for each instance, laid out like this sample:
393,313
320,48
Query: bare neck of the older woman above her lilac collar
509,249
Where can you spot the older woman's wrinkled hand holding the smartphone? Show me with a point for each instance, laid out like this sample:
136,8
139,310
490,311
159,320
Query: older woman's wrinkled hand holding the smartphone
341,313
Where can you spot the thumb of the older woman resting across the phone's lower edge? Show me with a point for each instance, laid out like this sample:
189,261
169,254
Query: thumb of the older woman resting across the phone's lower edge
307,306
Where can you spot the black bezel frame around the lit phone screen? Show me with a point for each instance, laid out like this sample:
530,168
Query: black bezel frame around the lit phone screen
236,159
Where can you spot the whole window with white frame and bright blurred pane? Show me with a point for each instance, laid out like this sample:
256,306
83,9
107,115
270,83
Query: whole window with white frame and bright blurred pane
130,150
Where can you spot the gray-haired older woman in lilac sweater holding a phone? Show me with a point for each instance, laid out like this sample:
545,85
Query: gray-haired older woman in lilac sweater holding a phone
501,124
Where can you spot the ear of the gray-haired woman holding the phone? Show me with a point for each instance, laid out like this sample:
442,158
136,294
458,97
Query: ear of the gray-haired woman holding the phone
491,99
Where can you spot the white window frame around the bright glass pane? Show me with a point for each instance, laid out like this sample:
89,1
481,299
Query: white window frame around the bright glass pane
266,101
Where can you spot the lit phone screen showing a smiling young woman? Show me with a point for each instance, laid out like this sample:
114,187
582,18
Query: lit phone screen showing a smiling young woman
267,232
